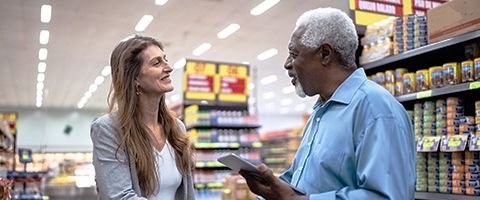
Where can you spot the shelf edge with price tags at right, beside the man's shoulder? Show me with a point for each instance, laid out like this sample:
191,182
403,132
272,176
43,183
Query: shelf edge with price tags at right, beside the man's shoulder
449,89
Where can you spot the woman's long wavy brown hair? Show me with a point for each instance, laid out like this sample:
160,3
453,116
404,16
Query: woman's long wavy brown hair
126,61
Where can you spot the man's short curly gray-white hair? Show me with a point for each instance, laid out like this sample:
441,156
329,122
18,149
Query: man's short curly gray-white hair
330,25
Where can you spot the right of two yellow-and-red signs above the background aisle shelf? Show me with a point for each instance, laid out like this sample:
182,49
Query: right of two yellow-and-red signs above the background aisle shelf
233,83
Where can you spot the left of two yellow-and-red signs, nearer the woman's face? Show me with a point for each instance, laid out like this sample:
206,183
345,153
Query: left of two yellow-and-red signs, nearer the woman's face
199,81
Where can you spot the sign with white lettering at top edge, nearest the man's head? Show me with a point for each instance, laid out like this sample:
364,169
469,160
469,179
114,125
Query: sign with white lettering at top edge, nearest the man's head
376,7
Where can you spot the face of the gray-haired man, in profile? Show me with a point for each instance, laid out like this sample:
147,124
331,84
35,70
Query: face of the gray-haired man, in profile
301,66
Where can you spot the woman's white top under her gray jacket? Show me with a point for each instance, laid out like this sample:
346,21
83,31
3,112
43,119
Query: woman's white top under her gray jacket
170,177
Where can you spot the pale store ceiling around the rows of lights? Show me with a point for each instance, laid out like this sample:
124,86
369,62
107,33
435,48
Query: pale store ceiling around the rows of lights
84,32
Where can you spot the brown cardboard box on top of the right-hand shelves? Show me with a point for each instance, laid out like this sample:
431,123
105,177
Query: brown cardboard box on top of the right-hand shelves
453,18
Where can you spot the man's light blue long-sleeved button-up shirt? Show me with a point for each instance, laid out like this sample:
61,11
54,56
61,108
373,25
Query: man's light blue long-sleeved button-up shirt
357,145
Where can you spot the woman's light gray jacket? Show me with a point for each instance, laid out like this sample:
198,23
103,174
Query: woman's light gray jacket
118,180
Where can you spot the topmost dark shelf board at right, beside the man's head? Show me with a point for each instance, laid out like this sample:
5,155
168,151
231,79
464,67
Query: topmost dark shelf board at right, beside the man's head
422,50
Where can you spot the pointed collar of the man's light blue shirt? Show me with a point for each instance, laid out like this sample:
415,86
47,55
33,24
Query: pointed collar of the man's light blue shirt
344,93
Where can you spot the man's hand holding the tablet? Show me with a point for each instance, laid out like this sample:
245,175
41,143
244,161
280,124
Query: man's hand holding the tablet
269,186
